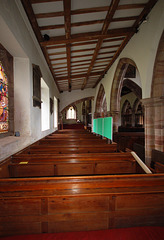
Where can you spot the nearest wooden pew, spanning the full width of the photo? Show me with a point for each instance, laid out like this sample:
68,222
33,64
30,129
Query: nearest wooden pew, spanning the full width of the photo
59,204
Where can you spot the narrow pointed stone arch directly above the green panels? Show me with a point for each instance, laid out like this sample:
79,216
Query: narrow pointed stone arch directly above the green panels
101,103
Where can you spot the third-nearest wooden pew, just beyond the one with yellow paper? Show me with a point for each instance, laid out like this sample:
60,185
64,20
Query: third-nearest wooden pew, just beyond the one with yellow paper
71,149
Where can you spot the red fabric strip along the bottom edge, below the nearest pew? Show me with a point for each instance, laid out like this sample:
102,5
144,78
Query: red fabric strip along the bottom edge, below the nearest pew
137,233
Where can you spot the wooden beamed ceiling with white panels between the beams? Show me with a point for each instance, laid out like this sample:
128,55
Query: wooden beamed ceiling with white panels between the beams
81,39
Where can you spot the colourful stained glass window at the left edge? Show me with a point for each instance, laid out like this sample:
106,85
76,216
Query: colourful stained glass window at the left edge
4,126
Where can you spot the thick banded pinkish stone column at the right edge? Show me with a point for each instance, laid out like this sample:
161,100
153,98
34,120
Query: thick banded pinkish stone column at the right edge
154,126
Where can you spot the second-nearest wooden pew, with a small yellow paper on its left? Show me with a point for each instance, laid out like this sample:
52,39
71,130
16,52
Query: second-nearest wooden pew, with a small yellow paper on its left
74,166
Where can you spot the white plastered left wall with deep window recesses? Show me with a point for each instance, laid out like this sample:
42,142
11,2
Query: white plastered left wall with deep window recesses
21,43
